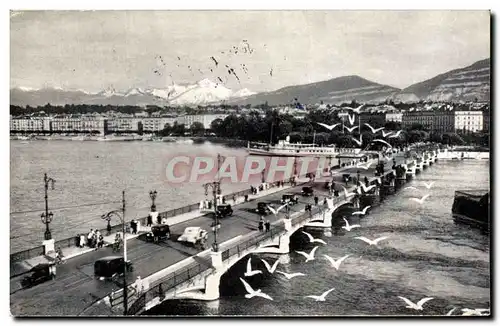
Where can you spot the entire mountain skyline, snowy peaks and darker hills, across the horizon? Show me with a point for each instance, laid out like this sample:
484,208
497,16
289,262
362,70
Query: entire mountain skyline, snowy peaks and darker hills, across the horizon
469,83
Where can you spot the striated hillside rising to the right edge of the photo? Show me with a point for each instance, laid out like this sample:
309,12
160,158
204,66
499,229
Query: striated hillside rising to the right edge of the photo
464,84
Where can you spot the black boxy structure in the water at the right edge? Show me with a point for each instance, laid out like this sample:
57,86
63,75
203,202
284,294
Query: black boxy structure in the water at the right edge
472,207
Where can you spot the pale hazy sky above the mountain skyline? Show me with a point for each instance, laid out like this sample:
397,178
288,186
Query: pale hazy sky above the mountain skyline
96,50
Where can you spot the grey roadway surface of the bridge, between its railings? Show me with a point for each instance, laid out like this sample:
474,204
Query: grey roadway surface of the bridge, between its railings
75,287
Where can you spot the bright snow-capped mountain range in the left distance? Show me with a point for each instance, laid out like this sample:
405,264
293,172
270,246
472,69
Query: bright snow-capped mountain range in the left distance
203,92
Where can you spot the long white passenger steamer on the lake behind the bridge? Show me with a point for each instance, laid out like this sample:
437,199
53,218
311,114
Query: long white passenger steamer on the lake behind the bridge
285,148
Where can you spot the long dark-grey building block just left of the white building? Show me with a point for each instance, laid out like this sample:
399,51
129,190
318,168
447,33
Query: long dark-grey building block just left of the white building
435,121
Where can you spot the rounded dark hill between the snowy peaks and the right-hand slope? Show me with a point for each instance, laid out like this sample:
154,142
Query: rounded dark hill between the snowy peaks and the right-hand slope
333,91
